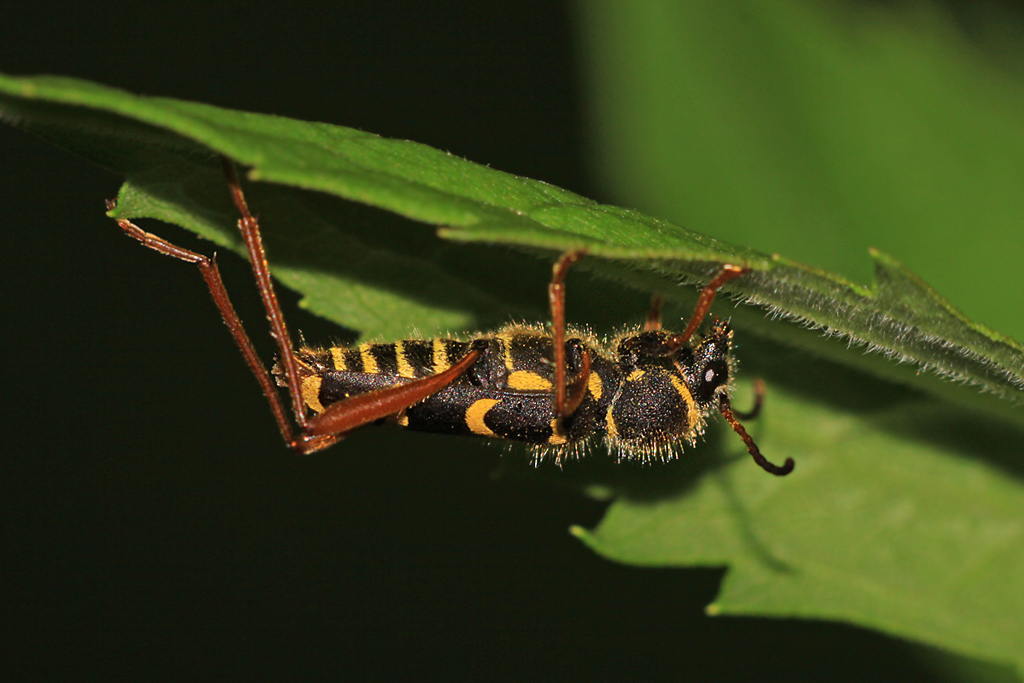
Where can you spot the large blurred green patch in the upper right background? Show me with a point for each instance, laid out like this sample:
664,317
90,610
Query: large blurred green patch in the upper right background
819,130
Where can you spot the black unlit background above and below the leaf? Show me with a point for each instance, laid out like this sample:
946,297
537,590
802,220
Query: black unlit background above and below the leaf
153,522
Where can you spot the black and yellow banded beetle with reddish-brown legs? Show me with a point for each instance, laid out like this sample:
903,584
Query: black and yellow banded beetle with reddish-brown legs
647,393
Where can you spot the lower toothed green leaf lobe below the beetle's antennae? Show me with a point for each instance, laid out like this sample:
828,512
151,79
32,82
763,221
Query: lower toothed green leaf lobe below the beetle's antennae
890,522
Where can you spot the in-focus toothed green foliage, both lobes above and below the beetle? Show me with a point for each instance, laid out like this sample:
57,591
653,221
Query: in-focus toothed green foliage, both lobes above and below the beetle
879,464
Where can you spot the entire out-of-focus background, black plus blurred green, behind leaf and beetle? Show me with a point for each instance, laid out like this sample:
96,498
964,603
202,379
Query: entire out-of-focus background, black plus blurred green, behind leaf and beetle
153,522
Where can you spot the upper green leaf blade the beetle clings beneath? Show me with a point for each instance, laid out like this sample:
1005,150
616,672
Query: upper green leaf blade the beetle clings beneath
902,317
